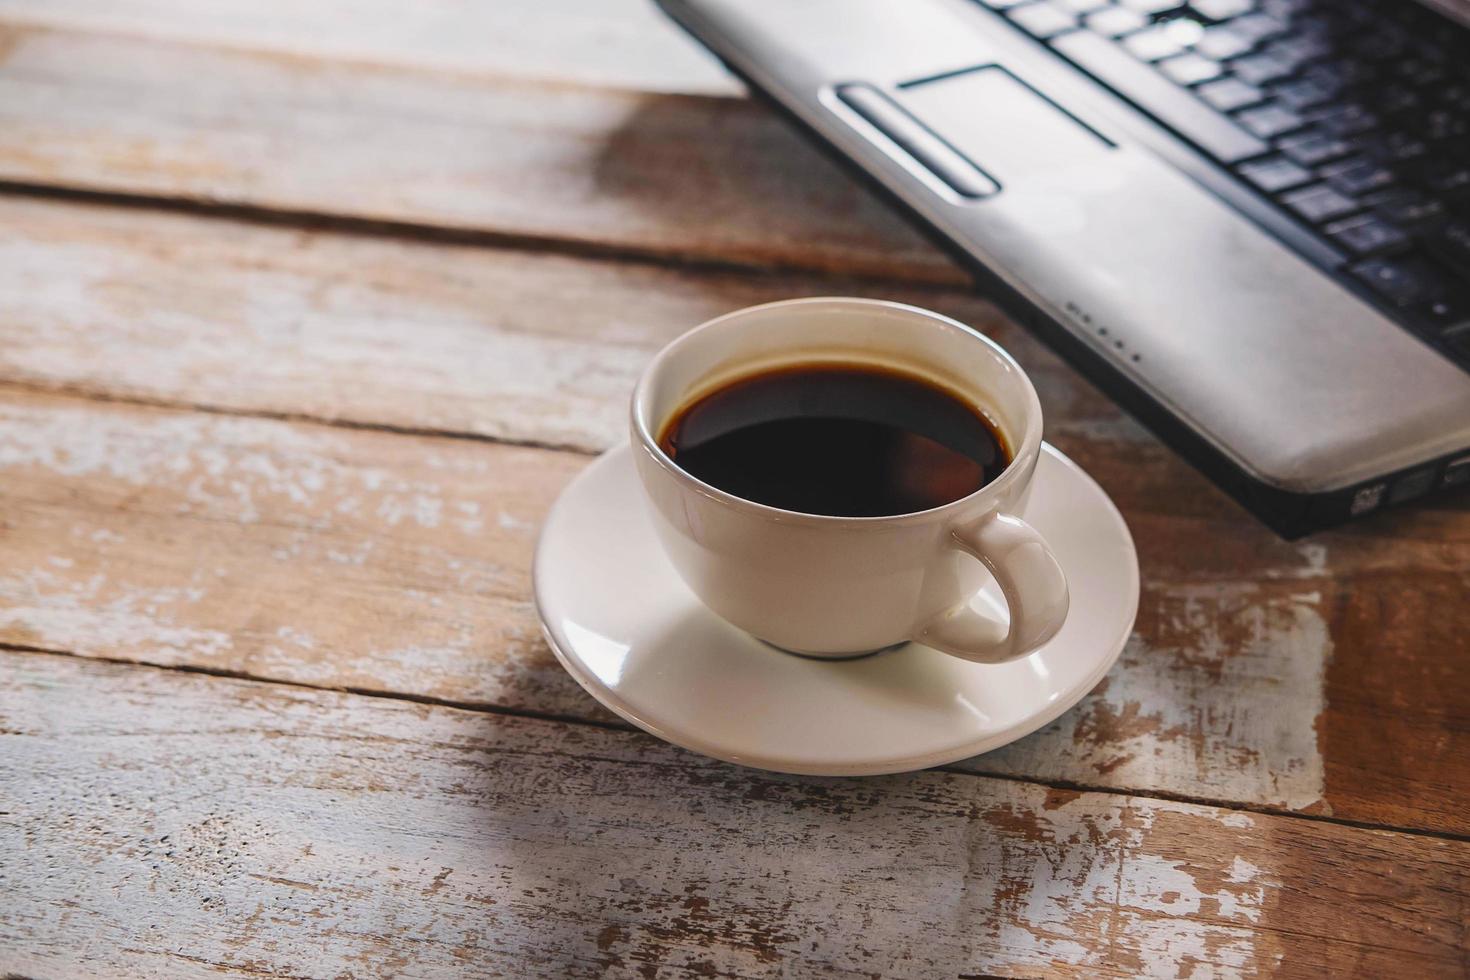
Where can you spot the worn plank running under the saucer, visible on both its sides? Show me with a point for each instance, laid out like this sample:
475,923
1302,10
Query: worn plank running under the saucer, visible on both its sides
380,562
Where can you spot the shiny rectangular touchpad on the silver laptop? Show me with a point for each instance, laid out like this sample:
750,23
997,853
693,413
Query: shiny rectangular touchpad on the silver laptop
1000,123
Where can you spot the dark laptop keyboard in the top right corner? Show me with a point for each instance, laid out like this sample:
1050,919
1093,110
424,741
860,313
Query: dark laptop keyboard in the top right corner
1355,118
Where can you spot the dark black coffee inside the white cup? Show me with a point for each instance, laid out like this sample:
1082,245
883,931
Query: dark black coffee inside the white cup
837,440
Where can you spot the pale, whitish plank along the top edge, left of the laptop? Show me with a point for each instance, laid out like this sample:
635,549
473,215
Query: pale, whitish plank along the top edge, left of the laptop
612,43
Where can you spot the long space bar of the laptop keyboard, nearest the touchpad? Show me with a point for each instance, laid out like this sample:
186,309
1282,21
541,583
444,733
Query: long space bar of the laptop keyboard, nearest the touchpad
1175,107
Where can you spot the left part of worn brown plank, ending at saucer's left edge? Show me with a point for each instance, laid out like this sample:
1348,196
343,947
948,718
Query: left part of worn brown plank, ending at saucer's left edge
352,561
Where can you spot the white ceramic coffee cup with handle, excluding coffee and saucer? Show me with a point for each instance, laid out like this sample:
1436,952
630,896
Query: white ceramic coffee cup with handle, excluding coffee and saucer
837,587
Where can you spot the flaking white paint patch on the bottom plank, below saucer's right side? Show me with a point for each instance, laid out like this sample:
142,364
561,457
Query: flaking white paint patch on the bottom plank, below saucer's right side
1100,882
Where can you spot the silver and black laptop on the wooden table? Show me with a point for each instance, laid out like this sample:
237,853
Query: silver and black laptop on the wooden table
1249,221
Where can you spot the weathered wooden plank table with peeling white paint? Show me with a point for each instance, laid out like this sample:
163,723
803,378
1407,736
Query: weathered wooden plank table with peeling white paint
308,311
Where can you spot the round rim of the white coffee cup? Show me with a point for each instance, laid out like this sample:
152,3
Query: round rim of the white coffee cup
1030,444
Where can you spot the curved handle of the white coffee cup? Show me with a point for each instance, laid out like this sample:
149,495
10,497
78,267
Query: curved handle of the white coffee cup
1031,580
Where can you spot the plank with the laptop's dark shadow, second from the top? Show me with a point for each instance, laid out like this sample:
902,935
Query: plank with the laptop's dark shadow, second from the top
673,176
